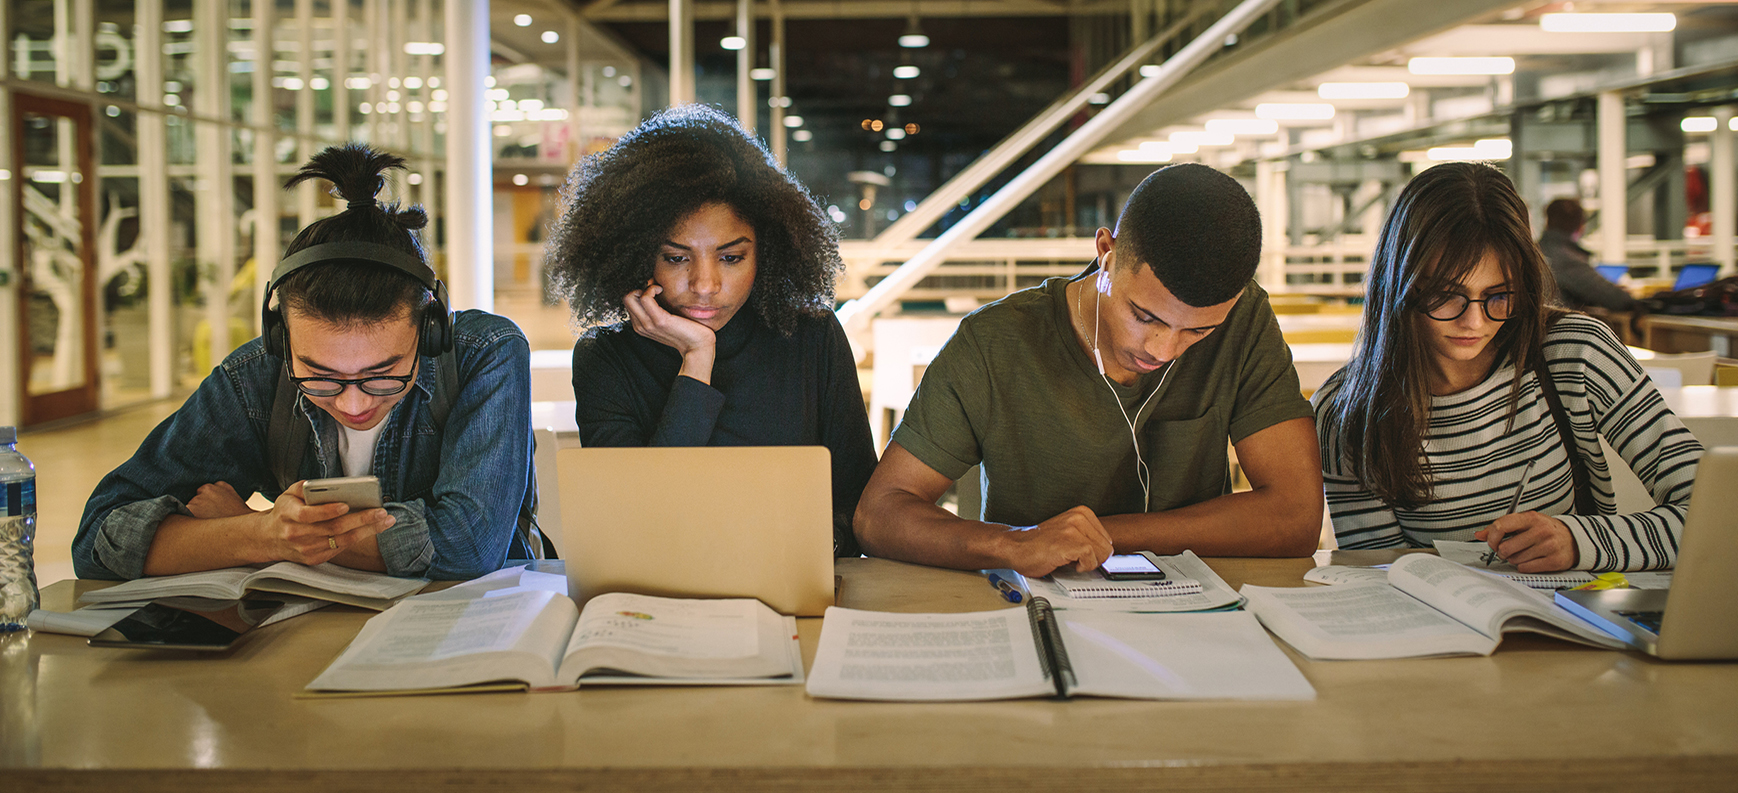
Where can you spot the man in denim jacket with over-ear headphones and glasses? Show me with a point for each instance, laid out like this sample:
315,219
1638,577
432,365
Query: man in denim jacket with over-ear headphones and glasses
362,370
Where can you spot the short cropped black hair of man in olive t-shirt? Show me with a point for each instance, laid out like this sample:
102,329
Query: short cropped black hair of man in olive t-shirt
1197,229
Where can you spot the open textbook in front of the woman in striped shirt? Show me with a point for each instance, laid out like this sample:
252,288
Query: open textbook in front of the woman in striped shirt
1428,608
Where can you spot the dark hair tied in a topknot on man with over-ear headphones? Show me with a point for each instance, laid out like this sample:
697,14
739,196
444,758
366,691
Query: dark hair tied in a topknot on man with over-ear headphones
350,293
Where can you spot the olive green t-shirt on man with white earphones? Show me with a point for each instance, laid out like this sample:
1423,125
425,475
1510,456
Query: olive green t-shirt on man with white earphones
1016,392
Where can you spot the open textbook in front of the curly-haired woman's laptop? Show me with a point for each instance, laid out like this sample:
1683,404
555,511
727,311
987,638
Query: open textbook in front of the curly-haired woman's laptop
538,639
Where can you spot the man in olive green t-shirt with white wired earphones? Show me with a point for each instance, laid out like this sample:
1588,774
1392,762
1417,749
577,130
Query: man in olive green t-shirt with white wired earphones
1101,408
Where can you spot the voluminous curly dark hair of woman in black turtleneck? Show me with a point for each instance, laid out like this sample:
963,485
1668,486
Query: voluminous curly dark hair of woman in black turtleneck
621,204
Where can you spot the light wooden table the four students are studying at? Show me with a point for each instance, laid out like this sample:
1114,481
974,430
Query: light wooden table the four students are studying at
1537,716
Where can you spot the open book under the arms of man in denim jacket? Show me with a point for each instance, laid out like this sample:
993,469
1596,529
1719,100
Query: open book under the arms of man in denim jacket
340,585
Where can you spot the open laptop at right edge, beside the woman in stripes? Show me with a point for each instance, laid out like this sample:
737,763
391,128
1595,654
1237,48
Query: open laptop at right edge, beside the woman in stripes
1699,616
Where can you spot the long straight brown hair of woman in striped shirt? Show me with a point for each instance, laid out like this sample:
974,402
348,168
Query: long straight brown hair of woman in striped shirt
1442,227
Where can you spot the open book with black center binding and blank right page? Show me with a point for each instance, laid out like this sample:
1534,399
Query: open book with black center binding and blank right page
1035,651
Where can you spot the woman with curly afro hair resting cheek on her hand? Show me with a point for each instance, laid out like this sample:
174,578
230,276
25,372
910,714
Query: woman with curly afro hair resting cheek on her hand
705,281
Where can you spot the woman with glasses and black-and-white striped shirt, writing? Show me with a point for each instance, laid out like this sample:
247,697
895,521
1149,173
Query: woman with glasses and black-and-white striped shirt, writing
1468,390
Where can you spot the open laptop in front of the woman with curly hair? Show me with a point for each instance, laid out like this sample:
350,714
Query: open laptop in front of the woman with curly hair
701,523
